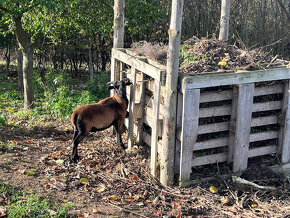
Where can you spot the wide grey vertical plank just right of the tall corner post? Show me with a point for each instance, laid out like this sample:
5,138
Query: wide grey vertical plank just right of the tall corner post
189,131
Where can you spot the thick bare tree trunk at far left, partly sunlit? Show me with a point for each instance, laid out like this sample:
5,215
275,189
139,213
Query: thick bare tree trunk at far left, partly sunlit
24,42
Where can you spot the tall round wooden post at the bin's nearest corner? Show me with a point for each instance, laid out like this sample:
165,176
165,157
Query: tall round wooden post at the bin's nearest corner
168,139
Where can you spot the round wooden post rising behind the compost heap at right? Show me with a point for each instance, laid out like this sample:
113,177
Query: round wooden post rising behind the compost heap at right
225,20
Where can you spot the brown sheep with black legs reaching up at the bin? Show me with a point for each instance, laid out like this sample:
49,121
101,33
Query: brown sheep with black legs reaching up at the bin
94,117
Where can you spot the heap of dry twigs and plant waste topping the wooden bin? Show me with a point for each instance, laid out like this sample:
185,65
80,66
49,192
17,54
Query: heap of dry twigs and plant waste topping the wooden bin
211,55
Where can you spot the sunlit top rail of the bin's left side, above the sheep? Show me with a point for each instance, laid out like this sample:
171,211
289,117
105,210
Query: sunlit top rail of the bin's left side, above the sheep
149,69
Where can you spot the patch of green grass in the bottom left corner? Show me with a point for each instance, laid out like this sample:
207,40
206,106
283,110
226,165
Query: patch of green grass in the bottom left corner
20,204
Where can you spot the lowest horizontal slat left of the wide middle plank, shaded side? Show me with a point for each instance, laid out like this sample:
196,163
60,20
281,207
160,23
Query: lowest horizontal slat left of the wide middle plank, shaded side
209,159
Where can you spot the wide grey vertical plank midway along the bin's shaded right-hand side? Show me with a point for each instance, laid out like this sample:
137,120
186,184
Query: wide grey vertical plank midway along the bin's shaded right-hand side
243,127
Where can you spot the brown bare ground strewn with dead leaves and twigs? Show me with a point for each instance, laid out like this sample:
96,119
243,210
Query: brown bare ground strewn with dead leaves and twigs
110,182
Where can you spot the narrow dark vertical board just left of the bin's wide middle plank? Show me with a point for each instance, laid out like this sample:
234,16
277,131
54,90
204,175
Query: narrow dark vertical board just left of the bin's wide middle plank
232,127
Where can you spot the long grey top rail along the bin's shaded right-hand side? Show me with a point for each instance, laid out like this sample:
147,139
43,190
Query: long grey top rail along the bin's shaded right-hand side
239,77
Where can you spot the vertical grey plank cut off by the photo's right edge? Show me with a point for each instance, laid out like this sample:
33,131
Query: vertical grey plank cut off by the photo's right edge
284,137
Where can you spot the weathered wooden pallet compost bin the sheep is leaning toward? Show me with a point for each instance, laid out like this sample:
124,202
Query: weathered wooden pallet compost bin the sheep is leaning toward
221,117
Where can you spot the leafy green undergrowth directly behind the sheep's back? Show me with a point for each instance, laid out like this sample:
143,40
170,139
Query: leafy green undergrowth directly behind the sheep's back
59,97
